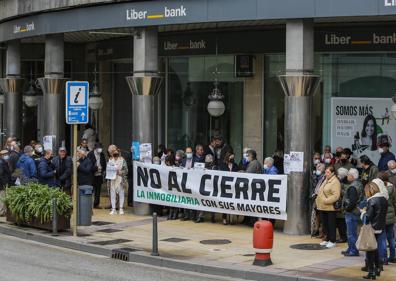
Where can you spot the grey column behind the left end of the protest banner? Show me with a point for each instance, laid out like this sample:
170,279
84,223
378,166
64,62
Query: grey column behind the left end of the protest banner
144,85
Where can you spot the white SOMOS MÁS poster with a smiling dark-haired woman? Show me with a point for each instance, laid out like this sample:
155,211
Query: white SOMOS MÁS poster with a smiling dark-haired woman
357,123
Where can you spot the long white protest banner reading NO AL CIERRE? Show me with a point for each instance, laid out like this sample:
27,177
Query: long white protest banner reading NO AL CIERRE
209,190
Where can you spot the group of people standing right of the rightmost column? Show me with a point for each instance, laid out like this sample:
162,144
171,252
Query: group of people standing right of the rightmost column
348,192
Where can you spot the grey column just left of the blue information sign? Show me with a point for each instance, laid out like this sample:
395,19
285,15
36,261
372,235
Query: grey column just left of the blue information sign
53,87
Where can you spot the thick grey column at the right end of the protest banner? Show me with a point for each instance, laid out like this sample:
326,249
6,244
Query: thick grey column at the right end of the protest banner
299,84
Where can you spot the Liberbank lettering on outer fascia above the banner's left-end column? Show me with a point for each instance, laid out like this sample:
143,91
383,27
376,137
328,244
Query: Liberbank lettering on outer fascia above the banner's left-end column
133,14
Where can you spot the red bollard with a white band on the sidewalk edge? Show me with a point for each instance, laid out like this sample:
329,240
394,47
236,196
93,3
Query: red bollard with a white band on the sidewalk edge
263,240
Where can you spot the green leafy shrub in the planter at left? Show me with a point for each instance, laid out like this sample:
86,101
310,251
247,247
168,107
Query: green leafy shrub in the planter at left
34,201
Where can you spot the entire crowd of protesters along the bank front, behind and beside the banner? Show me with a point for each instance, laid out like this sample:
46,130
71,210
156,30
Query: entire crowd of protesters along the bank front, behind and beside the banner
345,192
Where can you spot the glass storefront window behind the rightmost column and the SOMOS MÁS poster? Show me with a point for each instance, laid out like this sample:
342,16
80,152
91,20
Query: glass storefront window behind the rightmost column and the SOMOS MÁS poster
358,75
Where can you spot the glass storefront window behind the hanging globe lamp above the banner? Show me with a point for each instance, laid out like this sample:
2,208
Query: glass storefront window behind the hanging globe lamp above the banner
190,81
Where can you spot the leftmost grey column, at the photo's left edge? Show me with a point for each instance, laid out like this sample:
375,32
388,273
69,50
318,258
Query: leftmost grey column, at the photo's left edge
12,86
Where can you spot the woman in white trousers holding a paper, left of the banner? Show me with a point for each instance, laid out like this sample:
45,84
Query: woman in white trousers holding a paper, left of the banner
116,172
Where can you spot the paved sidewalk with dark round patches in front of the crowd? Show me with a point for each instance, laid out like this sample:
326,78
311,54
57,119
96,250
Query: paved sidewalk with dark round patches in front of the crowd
183,241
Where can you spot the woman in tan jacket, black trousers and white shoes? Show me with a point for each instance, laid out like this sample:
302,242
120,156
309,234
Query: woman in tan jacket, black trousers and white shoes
329,193
